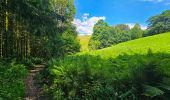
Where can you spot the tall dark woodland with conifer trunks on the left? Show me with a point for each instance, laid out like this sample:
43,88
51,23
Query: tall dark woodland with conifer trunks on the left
37,28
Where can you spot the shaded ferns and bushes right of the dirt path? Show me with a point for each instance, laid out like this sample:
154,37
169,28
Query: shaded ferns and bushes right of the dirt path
127,77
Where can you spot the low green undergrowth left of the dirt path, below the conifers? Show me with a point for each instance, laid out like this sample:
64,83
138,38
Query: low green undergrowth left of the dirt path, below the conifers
11,80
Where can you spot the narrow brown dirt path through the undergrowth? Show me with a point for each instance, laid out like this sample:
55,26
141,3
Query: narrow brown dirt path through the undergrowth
32,89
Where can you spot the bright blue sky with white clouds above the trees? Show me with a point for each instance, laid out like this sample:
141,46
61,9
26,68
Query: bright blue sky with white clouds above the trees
116,12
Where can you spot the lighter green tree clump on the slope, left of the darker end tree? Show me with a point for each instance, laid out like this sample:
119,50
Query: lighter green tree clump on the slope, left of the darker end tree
105,35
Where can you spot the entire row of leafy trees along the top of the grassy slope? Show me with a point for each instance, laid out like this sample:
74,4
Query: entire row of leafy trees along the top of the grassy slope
105,35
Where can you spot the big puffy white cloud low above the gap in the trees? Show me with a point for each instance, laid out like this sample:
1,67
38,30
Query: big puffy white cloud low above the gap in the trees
85,26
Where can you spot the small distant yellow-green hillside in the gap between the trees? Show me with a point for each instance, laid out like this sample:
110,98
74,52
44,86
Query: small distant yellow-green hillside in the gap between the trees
84,42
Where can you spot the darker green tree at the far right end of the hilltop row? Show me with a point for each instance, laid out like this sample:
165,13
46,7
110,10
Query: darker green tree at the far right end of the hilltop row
159,23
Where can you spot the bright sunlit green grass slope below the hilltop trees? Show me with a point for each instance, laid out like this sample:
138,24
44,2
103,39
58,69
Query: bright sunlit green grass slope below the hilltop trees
157,43
